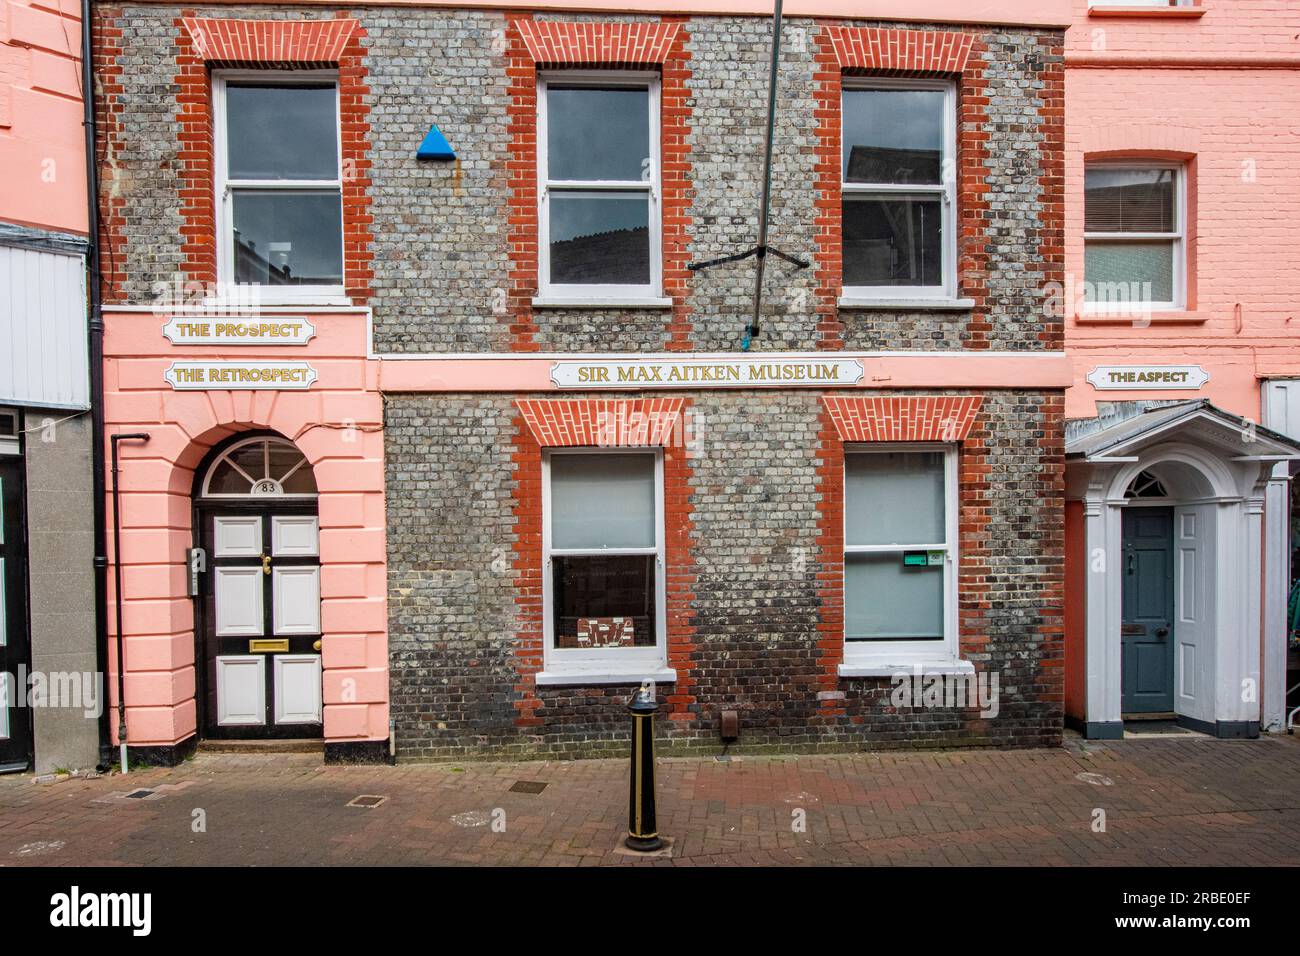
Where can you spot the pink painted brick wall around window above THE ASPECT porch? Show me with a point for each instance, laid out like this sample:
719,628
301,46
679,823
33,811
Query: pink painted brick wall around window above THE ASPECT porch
1221,90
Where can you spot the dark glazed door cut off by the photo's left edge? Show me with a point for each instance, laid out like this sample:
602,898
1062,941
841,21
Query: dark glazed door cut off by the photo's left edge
15,721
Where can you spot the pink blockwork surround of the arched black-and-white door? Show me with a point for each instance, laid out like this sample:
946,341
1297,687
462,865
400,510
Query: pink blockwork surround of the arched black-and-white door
157,486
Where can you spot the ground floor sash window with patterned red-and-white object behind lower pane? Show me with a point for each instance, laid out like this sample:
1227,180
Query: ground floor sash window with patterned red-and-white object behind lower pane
604,589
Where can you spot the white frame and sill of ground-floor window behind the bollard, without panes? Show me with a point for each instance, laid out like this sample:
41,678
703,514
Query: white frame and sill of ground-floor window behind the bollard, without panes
606,665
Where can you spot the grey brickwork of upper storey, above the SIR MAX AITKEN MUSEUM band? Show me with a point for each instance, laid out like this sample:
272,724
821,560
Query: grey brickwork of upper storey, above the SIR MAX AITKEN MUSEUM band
441,253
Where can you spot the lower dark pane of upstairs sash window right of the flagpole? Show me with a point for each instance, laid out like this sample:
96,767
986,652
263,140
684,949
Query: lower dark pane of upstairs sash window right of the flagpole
894,243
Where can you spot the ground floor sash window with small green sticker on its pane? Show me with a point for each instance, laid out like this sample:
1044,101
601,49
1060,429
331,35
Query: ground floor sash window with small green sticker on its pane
900,555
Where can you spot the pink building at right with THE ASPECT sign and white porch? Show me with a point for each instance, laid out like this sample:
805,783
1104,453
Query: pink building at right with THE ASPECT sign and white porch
1181,191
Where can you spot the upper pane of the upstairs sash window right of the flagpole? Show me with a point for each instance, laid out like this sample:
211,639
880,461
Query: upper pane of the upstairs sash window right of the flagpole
894,136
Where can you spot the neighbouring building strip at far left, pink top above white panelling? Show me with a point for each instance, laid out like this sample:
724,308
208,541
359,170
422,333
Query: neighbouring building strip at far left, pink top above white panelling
47,518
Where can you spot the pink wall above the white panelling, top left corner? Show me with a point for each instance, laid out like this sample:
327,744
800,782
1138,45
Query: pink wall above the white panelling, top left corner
42,146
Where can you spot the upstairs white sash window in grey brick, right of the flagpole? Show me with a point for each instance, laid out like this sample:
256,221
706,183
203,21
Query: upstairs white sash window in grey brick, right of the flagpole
899,200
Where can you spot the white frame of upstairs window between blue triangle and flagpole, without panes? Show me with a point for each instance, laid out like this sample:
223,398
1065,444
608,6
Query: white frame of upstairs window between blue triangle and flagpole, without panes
552,293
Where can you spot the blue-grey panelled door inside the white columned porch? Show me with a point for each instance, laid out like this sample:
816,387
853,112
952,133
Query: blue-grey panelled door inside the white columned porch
1147,630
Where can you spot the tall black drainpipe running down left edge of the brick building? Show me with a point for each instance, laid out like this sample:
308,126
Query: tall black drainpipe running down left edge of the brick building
96,347
